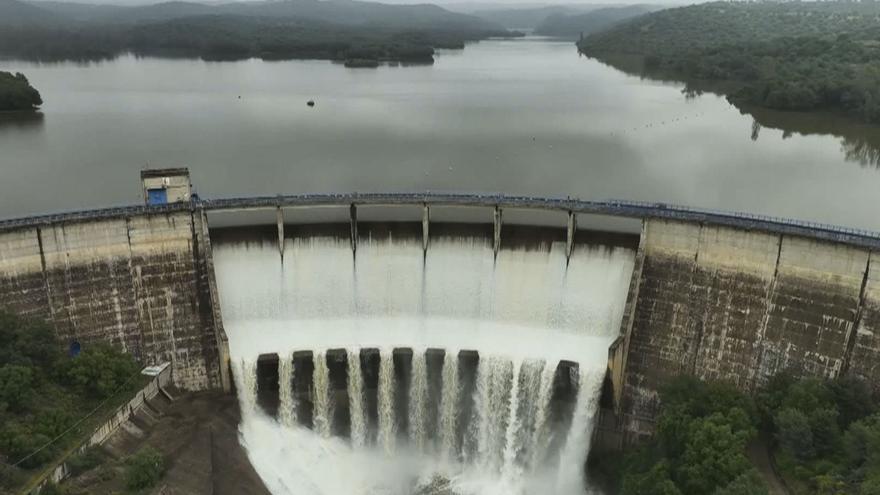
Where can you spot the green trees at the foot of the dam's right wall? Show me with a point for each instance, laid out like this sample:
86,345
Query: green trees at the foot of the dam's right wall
824,437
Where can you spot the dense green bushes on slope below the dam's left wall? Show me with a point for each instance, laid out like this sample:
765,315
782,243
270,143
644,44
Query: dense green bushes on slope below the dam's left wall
44,393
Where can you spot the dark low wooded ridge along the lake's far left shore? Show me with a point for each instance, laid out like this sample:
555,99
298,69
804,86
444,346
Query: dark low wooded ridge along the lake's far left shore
232,38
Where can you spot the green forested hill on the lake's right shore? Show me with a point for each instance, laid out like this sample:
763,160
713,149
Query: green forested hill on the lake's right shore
788,56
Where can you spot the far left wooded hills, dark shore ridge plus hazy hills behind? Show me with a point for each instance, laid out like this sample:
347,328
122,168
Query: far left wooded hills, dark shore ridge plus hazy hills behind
362,33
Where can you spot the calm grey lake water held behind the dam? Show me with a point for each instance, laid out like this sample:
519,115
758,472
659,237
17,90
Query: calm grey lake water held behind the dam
526,116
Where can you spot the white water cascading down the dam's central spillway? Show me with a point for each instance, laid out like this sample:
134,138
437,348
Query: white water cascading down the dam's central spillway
406,372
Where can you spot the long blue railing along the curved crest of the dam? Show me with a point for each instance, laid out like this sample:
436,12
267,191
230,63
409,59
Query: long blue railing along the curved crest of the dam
619,208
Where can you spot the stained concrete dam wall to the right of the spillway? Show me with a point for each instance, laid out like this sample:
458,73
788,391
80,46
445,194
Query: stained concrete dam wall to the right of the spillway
740,306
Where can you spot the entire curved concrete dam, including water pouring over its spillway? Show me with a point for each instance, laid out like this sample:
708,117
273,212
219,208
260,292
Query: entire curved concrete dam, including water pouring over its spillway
479,342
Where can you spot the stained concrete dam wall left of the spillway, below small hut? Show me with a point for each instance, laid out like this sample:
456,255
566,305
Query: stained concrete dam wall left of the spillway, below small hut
140,283
